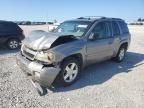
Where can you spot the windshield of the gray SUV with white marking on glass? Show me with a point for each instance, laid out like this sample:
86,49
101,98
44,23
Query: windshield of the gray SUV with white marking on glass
75,28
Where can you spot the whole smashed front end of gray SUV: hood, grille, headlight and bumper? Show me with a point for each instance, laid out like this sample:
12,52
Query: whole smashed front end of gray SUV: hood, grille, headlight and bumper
37,58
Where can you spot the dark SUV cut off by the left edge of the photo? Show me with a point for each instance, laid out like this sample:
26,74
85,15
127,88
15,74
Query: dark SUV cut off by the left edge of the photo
10,34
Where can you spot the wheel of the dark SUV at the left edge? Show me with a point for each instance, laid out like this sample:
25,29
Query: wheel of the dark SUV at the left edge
13,44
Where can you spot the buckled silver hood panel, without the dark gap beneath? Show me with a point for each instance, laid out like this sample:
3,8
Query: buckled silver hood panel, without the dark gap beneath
39,40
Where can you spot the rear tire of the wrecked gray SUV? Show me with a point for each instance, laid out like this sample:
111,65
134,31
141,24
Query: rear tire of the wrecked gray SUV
120,58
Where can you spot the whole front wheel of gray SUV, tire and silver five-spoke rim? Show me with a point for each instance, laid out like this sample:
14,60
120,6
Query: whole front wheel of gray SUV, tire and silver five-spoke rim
70,70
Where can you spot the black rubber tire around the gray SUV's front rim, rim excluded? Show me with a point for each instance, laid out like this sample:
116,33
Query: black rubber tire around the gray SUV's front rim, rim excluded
60,81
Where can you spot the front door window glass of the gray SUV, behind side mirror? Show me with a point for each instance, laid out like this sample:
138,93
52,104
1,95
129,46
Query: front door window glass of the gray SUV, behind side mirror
100,30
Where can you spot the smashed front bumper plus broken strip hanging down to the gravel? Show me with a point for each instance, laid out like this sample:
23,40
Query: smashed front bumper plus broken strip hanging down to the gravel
42,76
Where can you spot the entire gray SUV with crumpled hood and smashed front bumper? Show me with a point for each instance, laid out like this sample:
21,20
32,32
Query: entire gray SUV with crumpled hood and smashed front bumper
60,55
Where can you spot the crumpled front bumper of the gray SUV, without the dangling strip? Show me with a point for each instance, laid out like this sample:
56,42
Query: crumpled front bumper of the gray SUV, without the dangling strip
44,75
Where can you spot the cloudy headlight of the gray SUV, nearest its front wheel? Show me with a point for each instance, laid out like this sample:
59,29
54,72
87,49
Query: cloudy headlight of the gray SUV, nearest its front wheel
45,57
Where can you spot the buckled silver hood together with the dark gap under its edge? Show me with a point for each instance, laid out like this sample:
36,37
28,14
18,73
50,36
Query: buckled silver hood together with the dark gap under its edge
40,40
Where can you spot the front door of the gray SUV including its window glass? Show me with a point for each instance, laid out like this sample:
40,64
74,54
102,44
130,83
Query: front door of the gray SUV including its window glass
102,47
